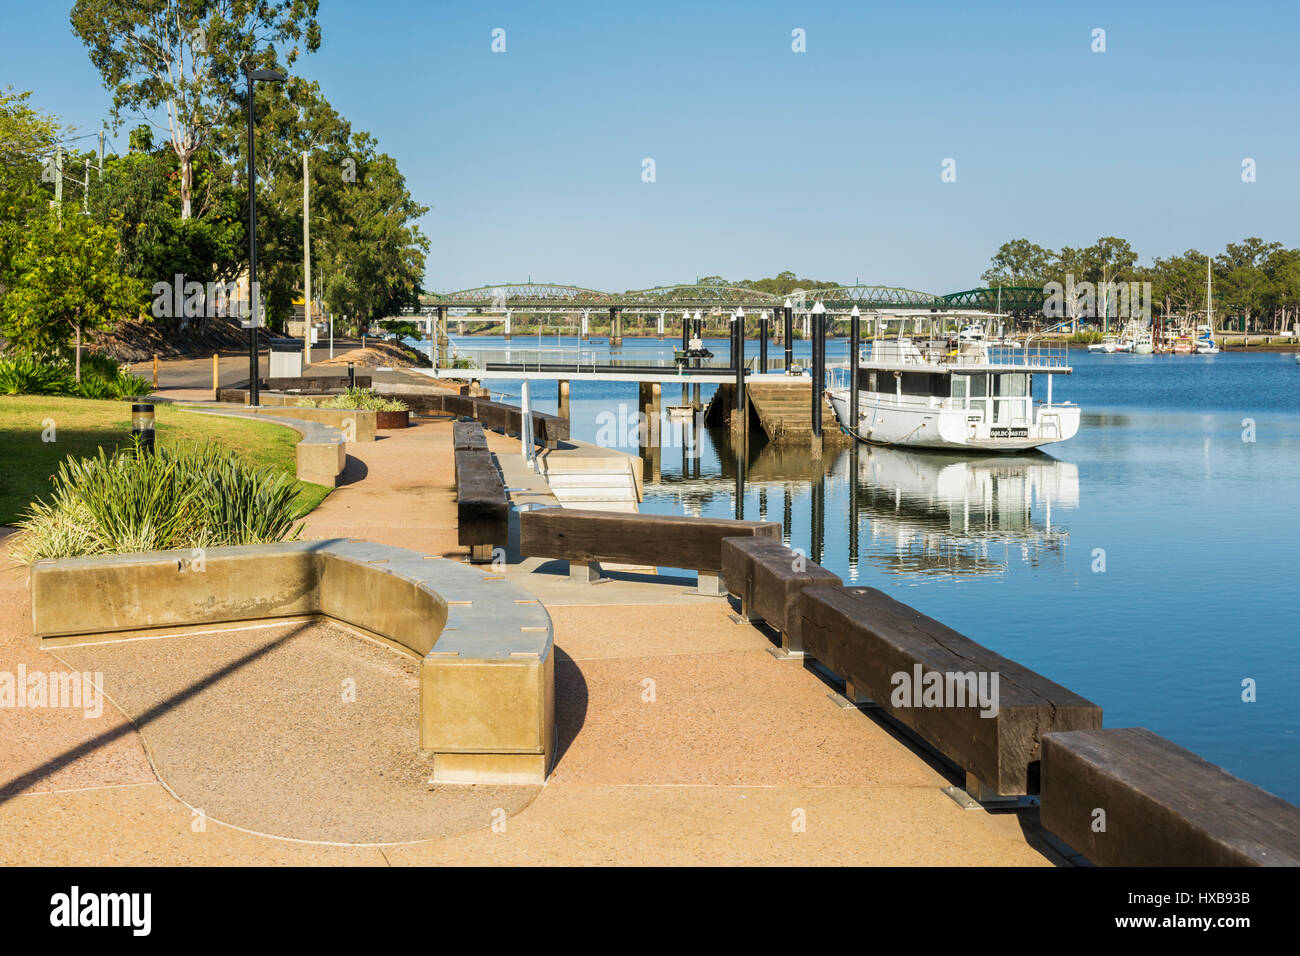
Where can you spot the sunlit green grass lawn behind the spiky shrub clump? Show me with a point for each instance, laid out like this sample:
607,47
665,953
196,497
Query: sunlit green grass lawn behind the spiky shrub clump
83,426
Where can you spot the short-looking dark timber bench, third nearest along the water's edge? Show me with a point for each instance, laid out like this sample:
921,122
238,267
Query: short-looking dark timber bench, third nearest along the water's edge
768,578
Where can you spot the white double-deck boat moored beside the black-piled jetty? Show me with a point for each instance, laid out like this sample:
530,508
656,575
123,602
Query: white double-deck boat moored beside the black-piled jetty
929,395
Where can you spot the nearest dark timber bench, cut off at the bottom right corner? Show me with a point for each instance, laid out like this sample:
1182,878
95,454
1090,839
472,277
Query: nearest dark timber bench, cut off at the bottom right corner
1130,798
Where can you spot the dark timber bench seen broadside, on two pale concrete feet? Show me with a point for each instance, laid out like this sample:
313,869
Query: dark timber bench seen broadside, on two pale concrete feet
588,538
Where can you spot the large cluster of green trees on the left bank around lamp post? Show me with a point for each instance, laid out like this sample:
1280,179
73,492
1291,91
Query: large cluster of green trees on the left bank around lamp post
175,207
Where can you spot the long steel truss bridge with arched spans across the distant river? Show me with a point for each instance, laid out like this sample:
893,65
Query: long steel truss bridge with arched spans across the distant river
718,300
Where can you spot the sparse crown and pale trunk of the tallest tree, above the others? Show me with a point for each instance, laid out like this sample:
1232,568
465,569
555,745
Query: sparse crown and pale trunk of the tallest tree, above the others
185,57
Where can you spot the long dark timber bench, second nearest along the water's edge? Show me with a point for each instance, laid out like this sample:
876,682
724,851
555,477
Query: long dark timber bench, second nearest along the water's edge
894,655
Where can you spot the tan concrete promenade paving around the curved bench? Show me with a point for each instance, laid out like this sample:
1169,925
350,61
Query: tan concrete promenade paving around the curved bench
682,739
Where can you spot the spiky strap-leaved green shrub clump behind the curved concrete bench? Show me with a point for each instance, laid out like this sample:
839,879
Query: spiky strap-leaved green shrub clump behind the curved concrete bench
189,496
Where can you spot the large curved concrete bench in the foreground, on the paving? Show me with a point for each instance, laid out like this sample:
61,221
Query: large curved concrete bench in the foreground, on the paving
487,669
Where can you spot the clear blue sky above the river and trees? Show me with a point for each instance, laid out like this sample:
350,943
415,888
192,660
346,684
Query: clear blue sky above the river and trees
826,162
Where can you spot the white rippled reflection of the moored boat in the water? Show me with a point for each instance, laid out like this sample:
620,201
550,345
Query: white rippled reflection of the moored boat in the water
939,514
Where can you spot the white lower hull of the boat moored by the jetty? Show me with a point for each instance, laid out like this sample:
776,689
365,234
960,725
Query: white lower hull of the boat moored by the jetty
886,423
